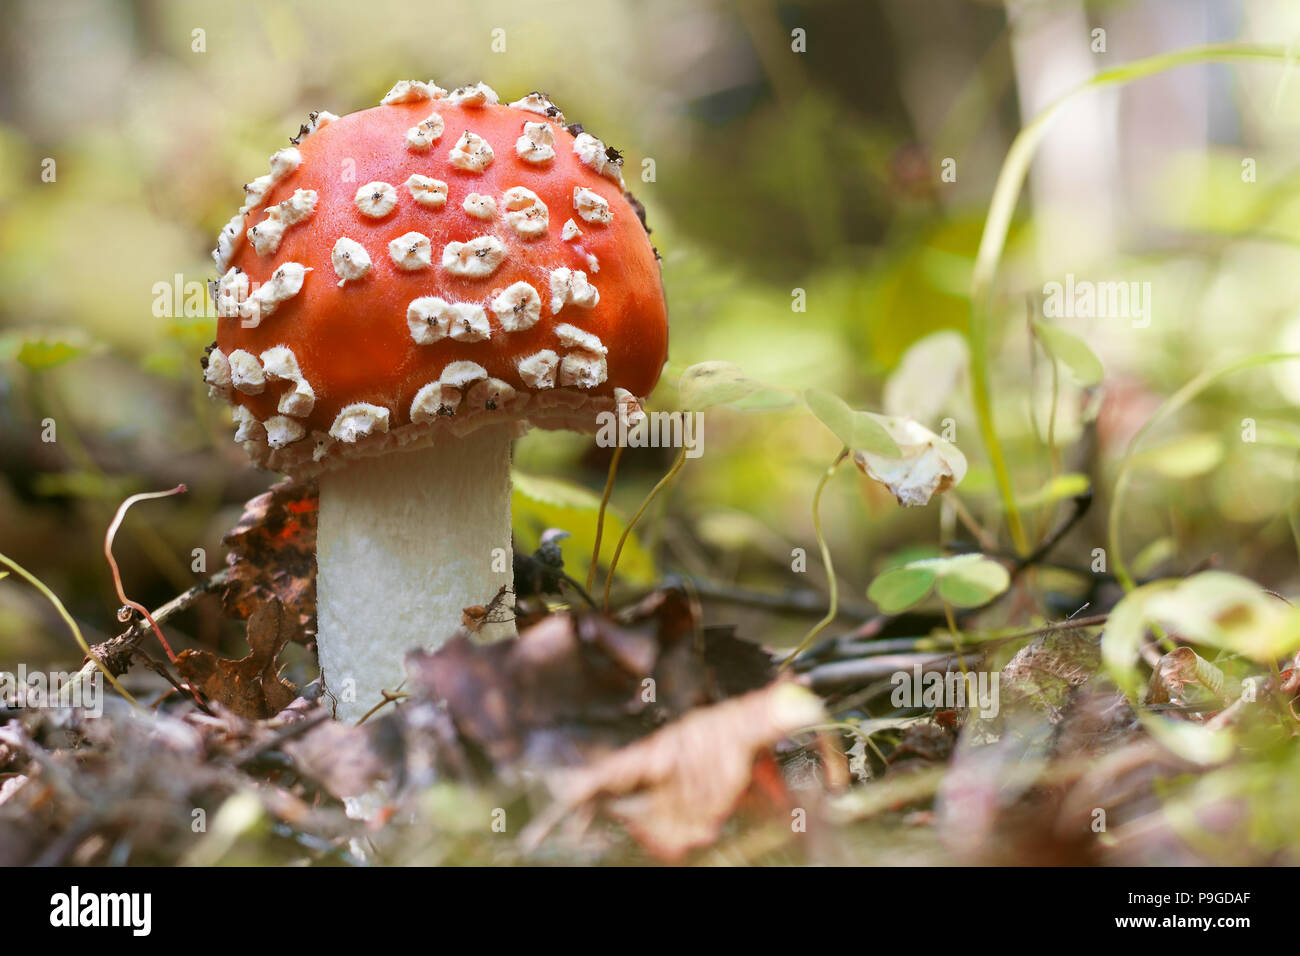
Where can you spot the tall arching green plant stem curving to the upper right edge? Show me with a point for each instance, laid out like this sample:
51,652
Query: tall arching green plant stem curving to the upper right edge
998,226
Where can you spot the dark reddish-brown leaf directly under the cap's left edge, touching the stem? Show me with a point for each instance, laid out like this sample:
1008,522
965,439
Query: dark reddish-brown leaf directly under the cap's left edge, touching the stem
274,555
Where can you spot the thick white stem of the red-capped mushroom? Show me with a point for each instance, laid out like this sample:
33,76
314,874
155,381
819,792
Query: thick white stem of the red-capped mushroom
405,544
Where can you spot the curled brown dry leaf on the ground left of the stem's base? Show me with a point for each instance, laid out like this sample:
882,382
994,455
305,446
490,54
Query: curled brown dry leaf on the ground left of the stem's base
252,687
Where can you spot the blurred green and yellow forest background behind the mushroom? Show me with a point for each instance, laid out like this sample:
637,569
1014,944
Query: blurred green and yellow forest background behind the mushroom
796,148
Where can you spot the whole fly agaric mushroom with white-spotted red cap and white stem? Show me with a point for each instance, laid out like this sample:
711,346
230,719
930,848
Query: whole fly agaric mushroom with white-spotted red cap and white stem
408,291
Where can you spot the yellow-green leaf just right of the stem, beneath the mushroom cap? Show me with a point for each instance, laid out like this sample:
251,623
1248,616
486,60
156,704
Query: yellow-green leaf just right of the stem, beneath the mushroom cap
539,504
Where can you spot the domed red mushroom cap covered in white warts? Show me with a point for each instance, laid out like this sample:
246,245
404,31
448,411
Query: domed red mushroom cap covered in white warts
430,266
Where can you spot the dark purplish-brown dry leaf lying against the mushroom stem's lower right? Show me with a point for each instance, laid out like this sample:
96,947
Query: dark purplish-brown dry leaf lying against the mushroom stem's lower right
577,686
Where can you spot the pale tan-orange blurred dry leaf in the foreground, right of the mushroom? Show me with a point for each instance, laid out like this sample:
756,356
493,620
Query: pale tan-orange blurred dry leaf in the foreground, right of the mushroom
675,789
